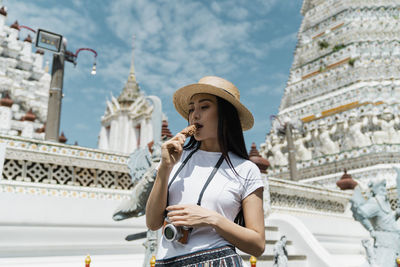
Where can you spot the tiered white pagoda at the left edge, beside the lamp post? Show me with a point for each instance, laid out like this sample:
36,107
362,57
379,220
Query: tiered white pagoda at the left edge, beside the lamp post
24,84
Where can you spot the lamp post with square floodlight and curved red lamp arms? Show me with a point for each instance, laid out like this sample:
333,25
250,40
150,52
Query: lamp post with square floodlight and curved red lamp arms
57,44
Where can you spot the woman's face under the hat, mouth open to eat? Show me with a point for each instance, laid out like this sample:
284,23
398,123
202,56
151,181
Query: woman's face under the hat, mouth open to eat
203,111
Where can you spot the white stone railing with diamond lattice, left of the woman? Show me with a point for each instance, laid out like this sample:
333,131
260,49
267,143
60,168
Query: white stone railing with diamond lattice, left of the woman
29,160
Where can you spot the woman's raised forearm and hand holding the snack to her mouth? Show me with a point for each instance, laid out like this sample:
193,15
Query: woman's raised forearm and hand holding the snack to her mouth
171,152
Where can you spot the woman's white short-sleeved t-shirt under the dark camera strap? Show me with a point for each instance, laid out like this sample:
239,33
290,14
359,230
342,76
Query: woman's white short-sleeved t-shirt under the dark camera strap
224,194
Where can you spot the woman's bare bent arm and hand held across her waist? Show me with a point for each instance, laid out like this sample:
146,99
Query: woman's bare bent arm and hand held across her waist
250,239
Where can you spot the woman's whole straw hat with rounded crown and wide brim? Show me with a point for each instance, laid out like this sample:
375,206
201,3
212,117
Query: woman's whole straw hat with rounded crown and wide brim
215,86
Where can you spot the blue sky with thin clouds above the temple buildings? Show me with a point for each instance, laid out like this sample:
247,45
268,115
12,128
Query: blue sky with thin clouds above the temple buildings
250,43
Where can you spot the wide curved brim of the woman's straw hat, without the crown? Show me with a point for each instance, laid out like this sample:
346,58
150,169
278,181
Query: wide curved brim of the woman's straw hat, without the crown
182,97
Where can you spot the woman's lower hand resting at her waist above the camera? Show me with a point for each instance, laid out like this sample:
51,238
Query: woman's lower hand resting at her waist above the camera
191,215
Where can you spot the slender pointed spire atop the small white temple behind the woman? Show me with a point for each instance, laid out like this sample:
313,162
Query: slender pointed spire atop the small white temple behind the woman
131,88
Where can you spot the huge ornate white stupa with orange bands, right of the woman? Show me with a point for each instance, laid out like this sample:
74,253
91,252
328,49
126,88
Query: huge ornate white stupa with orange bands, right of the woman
342,97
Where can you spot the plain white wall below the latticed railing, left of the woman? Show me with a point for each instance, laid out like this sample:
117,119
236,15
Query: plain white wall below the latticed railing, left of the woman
64,226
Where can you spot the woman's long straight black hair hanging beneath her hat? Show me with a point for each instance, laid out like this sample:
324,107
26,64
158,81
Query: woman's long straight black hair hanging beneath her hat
230,133
